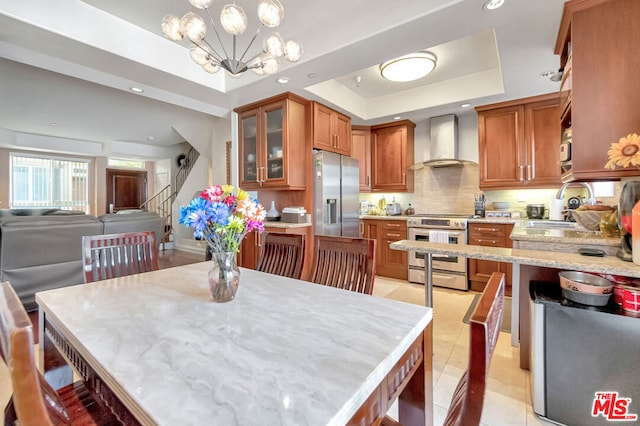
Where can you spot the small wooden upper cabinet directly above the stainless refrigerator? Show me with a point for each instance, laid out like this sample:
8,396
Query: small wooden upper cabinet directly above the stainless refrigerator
331,130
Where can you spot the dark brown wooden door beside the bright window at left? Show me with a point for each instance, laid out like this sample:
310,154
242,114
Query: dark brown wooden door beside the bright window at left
126,189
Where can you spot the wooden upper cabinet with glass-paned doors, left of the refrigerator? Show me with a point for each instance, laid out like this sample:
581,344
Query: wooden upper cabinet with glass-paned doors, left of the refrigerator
273,138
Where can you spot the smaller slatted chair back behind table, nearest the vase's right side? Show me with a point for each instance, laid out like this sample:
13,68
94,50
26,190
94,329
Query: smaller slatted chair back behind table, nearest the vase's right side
282,254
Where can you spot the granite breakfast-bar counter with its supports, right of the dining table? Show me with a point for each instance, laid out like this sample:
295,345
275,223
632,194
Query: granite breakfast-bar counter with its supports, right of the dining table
528,265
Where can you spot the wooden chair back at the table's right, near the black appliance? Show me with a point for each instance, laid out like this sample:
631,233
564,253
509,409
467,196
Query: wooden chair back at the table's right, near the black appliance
486,319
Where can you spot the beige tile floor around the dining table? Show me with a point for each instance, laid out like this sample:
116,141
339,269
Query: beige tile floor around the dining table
507,396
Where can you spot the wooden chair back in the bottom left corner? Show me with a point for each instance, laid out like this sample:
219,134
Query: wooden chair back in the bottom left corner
30,390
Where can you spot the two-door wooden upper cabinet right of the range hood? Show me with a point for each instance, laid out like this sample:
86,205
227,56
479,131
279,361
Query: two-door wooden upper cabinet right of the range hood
519,143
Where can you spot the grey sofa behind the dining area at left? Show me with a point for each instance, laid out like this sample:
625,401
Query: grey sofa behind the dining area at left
43,250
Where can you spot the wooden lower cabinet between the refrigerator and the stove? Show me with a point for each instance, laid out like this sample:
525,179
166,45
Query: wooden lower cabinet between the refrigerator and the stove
389,263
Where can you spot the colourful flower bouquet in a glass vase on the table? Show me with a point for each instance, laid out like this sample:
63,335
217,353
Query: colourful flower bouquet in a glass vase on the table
222,216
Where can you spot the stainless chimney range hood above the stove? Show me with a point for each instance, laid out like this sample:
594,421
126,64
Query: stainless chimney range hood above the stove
444,144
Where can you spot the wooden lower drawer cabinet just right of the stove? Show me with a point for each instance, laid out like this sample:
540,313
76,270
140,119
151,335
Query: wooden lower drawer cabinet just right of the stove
489,235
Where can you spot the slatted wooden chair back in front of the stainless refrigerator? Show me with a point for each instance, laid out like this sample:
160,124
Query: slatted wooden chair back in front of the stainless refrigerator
345,262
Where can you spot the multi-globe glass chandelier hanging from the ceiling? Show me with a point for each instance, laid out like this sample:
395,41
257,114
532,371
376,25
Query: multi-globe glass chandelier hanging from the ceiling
233,21
